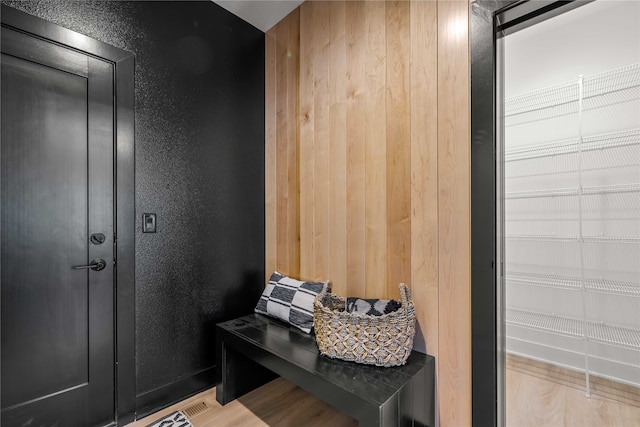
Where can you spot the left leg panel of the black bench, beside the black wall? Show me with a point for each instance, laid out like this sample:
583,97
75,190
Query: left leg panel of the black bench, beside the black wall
238,375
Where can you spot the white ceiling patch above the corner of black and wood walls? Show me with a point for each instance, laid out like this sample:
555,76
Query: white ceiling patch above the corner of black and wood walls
262,14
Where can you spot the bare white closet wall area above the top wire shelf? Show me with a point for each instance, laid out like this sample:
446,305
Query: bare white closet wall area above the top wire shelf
590,39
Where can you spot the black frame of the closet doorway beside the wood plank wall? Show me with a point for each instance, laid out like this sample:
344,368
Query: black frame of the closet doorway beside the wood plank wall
490,20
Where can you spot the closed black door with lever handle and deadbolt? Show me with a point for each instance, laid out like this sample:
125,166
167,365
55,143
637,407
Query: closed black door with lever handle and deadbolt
57,212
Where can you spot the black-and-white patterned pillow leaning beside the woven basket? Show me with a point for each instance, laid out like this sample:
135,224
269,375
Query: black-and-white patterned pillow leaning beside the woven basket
290,300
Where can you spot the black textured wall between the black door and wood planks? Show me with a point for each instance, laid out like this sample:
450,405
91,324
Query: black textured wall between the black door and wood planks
199,166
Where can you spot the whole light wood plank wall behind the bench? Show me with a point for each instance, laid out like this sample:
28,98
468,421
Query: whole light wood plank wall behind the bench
368,164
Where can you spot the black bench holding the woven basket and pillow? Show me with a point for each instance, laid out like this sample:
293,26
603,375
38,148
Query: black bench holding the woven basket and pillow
255,349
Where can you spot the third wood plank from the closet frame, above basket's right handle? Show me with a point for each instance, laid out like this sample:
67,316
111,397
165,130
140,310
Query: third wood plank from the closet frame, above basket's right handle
398,145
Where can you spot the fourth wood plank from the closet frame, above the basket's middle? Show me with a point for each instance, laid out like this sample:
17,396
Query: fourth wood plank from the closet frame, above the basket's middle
375,150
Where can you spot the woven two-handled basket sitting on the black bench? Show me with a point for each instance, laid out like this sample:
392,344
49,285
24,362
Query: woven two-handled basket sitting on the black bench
384,340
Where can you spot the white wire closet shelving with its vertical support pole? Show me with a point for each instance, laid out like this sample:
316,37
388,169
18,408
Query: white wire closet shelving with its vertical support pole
611,88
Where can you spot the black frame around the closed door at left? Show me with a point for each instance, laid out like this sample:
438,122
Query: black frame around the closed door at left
124,192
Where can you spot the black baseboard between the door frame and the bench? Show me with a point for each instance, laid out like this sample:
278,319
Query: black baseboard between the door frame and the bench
167,395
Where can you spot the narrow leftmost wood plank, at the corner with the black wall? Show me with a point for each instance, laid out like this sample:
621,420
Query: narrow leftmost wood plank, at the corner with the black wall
270,100
